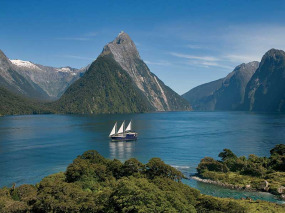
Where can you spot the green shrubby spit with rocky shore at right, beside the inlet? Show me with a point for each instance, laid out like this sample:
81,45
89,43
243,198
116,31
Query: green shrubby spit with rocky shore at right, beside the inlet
258,173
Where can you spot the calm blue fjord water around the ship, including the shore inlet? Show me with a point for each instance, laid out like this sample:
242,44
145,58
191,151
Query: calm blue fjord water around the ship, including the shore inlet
34,146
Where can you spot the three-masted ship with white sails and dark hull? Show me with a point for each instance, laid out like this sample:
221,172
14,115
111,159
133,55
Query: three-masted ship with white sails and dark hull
123,134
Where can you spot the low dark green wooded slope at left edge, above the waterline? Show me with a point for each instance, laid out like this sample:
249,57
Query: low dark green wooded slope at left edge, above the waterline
12,104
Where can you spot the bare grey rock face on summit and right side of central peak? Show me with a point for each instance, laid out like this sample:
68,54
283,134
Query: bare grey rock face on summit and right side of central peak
161,97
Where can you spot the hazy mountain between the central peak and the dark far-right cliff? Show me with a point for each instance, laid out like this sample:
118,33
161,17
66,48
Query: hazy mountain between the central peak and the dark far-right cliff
223,94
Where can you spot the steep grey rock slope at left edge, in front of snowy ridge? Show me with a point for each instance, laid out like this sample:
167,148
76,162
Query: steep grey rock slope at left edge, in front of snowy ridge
13,81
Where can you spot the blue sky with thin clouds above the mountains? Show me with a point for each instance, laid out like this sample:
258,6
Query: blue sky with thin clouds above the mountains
185,43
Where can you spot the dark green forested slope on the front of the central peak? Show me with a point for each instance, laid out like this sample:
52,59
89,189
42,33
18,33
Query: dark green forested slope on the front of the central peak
104,88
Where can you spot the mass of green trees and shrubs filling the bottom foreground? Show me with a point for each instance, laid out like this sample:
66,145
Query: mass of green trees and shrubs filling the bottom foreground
95,184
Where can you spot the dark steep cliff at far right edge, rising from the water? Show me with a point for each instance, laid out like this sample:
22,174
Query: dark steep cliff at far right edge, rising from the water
266,89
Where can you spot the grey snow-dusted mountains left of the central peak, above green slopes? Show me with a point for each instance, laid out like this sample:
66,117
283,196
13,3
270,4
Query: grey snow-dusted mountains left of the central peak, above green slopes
36,81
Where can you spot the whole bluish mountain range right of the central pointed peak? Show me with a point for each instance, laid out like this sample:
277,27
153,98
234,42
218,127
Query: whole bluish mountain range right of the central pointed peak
251,87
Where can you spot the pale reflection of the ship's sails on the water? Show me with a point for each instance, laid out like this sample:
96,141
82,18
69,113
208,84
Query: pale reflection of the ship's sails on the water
121,150
